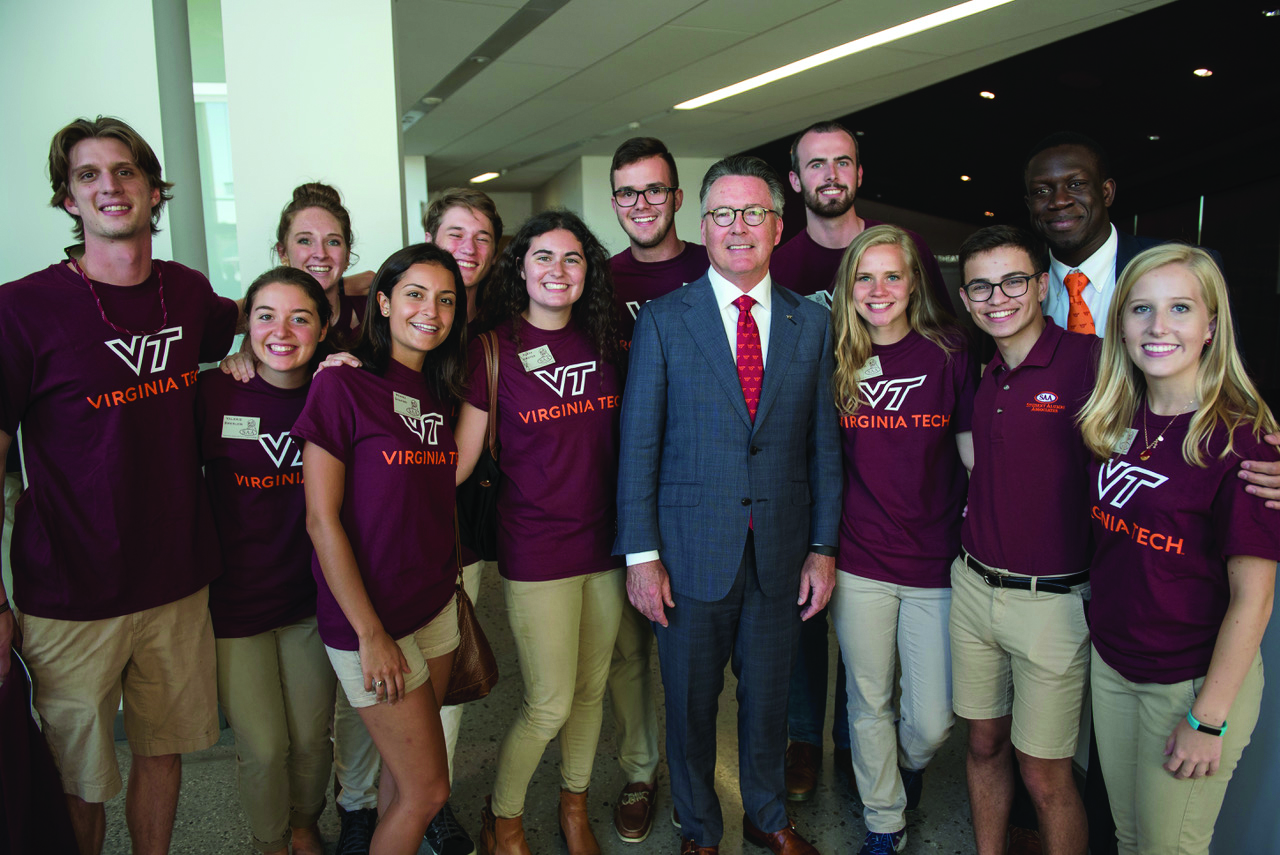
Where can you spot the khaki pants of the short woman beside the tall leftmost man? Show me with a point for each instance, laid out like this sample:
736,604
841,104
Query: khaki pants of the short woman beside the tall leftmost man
277,692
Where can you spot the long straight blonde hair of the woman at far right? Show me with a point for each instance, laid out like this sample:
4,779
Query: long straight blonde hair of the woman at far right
1226,392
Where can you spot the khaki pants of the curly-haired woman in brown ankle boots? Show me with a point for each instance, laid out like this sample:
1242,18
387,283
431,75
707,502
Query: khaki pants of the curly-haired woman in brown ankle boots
565,632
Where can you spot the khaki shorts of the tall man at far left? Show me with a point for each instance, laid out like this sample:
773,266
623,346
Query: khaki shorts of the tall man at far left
162,661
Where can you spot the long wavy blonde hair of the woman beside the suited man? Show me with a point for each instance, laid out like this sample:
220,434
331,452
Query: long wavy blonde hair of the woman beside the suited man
853,342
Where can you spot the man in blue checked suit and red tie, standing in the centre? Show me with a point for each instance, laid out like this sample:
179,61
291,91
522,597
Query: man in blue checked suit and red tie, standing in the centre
729,500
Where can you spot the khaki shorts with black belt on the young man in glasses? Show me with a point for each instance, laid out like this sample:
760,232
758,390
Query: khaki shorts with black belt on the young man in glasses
1022,653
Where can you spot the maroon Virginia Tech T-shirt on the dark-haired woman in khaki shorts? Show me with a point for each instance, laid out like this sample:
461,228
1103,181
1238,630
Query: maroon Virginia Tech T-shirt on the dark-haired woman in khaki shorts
397,506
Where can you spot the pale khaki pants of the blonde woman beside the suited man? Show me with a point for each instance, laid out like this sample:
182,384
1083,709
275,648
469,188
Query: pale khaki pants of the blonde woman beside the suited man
881,625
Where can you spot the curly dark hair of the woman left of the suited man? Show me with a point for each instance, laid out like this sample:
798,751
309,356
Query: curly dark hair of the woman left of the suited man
595,313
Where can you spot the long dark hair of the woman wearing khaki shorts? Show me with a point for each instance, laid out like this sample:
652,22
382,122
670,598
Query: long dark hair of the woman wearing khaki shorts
446,367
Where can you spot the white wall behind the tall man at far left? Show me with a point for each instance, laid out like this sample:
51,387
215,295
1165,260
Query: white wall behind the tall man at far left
53,60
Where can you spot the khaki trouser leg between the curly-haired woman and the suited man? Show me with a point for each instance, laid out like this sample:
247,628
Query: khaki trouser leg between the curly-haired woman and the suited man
636,712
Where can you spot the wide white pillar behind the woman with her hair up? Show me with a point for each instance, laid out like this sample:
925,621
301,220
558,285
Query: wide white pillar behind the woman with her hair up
300,116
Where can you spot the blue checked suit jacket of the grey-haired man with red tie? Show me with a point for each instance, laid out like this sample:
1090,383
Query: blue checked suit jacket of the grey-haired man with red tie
694,469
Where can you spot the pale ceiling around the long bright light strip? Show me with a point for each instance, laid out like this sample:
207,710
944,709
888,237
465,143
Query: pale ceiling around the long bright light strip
600,71
